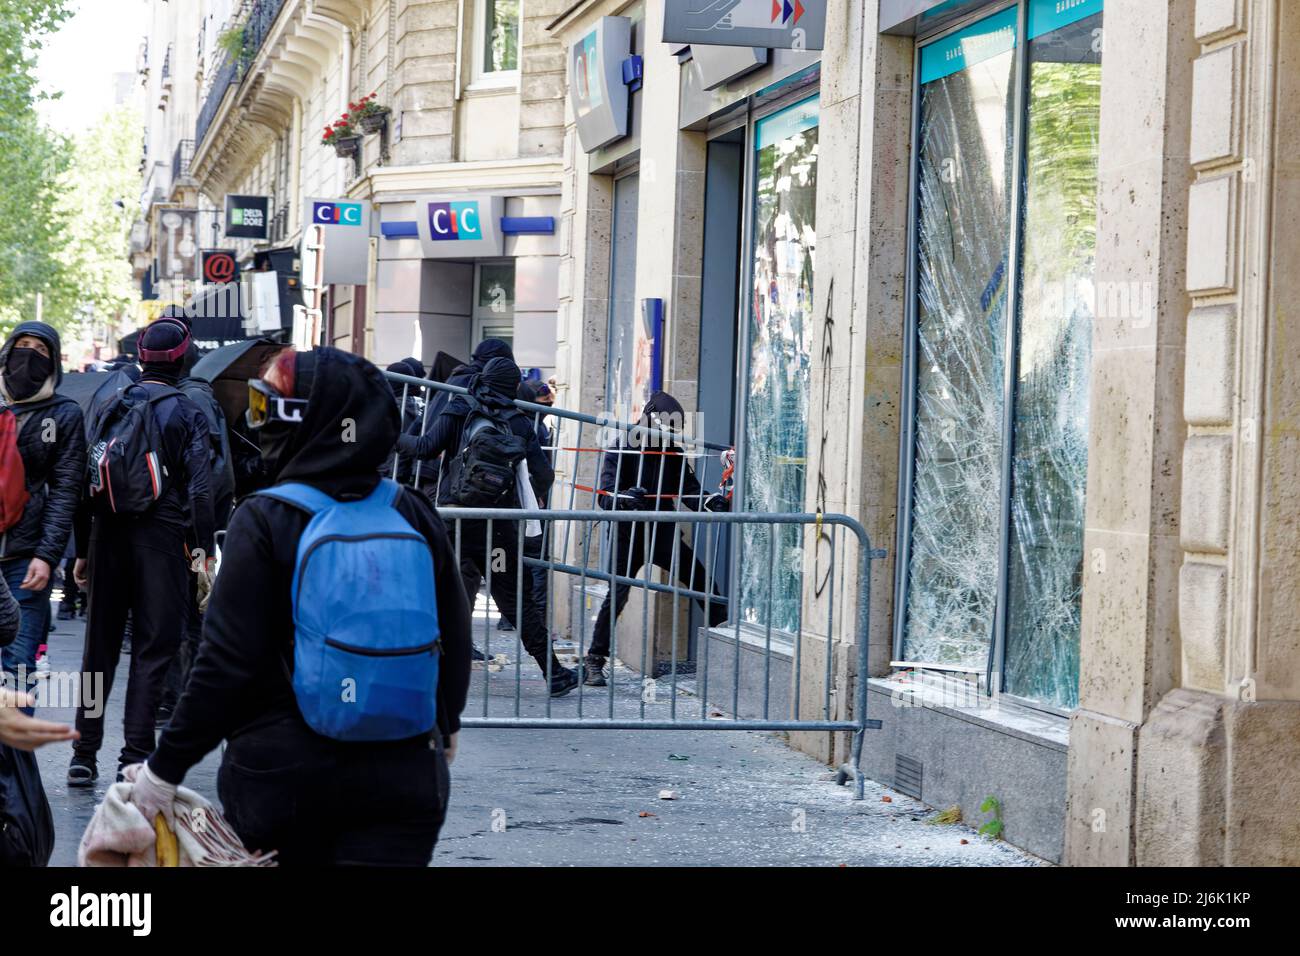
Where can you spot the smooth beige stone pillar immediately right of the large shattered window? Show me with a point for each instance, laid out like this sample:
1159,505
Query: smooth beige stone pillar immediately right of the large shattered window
1129,655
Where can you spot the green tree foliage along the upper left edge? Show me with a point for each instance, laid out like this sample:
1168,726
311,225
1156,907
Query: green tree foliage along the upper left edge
32,159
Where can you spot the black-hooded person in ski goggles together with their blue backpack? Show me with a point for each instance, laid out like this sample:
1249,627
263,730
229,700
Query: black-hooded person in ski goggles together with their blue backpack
335,659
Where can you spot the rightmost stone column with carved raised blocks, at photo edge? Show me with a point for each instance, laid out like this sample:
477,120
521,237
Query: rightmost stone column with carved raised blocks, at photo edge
1220,759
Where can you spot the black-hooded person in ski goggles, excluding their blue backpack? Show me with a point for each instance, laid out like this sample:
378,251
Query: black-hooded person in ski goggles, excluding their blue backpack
283,786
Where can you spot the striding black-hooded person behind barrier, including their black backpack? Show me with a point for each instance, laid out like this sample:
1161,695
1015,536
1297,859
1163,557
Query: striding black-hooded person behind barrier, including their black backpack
470,434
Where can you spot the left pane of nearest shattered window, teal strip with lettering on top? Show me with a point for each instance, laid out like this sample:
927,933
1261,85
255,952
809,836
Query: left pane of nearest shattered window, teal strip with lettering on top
964,240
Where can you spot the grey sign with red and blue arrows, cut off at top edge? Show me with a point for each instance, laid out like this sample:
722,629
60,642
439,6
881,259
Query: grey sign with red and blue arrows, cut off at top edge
772,24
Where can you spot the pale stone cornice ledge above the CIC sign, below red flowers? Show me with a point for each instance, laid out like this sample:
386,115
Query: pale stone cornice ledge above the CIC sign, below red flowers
517,176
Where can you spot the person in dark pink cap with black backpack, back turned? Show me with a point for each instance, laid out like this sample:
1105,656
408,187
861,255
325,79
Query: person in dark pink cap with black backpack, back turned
150,481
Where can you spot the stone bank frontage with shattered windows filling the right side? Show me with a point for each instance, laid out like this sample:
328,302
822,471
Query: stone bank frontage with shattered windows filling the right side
1004,282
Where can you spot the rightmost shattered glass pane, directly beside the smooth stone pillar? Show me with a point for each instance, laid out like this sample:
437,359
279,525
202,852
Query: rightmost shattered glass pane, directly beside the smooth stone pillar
1055,336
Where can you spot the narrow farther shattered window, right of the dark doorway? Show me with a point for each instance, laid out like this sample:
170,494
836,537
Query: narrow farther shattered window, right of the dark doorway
781,344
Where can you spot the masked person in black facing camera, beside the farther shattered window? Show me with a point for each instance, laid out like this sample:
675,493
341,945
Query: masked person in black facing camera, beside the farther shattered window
651,474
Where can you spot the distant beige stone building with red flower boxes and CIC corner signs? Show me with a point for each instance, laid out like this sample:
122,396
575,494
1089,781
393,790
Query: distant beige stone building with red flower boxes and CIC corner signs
474,100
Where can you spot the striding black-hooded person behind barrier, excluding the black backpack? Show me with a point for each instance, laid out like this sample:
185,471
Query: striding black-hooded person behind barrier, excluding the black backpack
493,392
